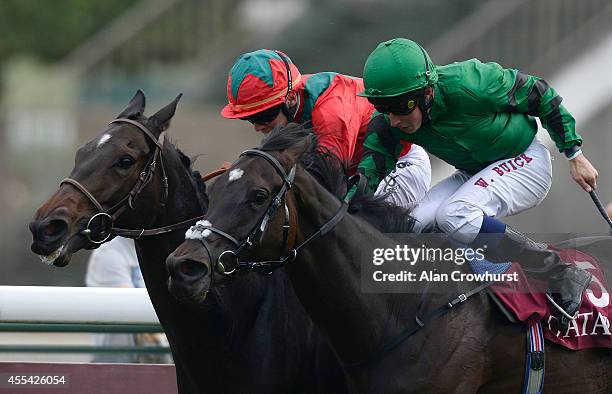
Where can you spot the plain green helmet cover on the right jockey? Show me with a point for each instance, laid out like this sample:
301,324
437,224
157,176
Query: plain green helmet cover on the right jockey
396,67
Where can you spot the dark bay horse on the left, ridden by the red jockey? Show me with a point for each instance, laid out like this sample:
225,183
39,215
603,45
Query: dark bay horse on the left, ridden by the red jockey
250,336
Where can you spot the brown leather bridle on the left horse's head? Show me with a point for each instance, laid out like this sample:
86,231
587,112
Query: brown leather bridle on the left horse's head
104,220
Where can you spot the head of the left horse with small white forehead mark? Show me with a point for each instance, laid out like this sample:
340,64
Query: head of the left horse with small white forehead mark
120,166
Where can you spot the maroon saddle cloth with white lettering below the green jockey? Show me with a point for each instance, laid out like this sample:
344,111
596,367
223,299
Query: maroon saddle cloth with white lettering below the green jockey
526,298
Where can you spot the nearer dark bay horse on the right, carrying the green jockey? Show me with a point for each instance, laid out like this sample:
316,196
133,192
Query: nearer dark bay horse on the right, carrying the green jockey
466,350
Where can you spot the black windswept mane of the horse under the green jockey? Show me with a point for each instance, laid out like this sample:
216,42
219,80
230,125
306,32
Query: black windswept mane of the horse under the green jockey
331,173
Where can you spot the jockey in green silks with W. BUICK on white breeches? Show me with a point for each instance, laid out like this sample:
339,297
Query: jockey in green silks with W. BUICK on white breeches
479,118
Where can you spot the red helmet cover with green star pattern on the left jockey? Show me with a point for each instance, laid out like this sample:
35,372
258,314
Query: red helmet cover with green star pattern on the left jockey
257,81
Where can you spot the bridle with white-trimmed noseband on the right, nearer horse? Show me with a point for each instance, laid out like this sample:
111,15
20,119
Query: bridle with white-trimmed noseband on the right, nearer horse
228,262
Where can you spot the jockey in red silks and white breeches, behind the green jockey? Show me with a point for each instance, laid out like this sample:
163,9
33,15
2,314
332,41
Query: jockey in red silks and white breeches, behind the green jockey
265,88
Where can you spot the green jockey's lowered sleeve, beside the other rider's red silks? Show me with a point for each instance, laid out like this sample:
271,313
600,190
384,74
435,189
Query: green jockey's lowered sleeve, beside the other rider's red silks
380,151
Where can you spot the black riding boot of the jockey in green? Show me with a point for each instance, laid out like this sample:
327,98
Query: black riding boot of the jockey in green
566,282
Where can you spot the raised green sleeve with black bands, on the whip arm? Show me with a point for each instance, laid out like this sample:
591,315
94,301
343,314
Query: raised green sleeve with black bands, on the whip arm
512,91
